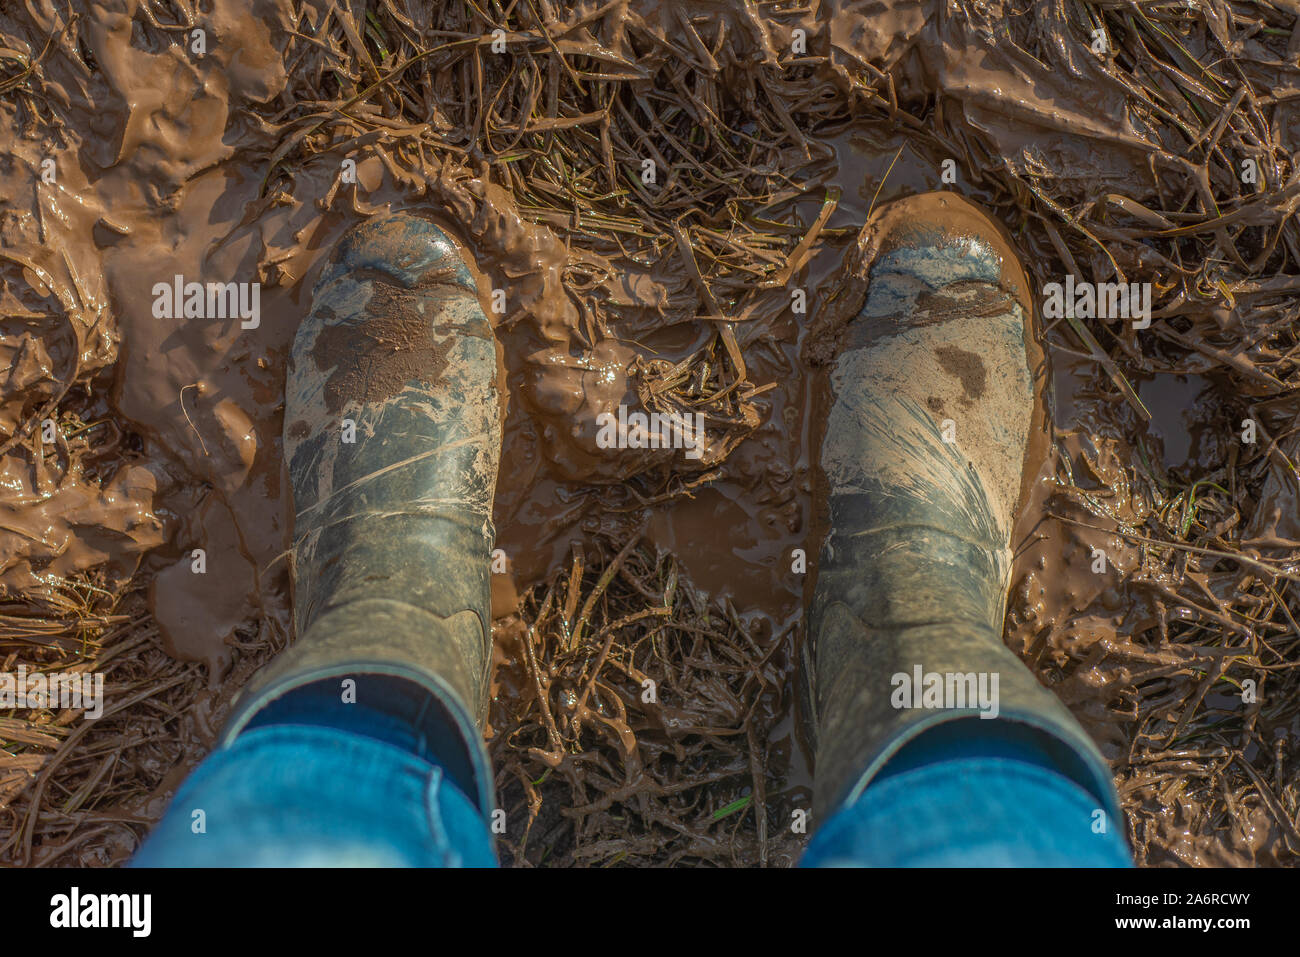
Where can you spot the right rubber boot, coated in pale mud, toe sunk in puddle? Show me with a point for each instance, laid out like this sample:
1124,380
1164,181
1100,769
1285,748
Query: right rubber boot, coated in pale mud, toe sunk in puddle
934,404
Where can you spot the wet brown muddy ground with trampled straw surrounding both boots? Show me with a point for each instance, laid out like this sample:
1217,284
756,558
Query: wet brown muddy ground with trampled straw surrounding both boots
1117,141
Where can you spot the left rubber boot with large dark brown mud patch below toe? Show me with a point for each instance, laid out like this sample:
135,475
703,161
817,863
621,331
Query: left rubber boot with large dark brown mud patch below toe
393,436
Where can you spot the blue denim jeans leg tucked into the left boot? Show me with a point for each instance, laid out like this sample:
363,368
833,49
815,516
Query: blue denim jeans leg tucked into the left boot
296,790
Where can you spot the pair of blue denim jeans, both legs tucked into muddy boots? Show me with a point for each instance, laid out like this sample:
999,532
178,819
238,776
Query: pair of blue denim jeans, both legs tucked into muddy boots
302,787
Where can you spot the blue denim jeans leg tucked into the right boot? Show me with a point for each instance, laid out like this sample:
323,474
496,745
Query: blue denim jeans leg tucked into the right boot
970,796
